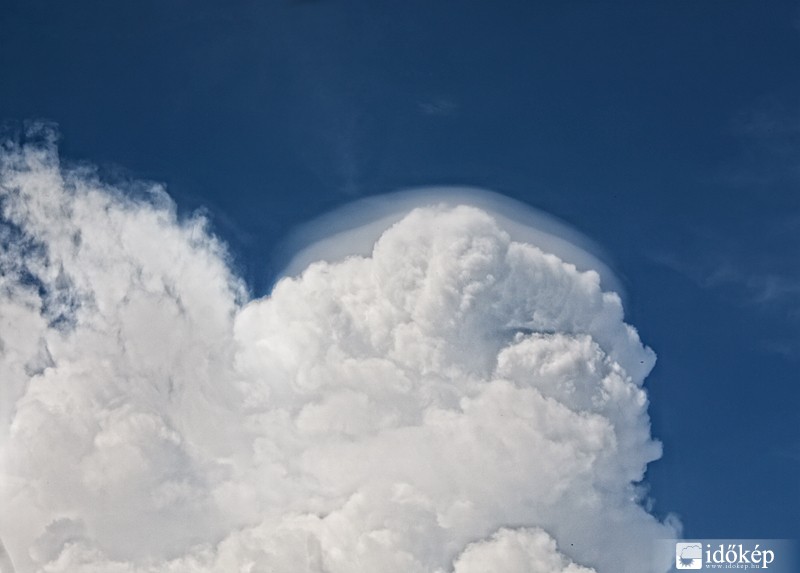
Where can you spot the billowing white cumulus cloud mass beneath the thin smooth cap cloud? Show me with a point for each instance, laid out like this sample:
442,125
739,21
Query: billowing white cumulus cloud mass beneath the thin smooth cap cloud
454,402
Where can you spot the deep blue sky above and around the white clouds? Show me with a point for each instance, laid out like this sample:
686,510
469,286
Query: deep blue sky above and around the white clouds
669,132
